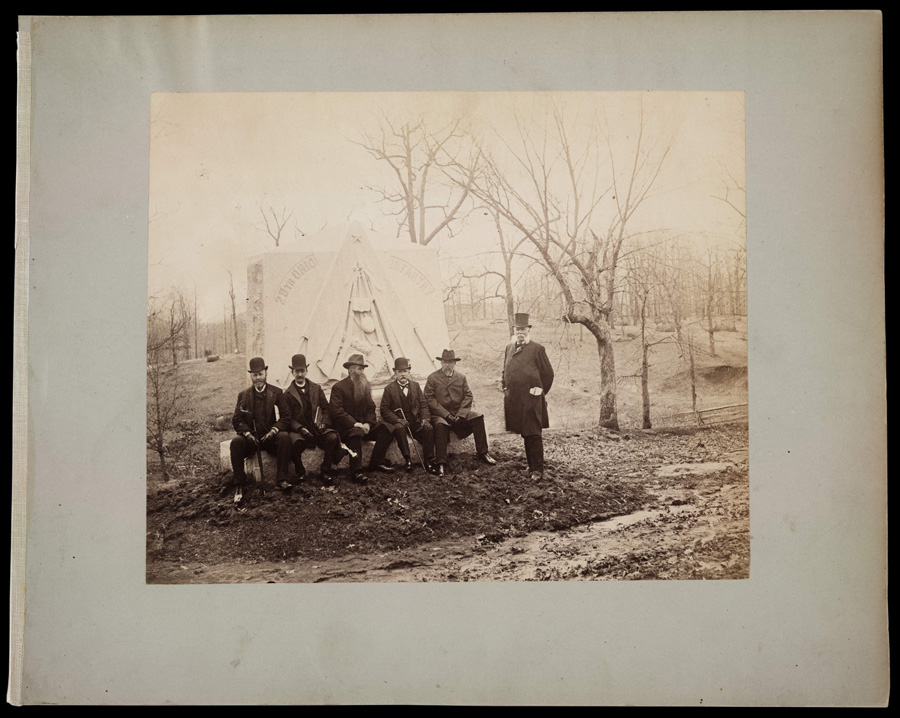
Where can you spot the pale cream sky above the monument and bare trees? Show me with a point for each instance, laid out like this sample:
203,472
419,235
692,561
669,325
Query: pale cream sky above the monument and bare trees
215,157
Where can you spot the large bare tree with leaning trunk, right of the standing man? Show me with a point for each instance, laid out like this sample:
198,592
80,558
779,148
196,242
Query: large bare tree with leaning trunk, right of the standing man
551,190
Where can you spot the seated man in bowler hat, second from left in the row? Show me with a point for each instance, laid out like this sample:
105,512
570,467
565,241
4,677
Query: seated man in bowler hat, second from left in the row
309,422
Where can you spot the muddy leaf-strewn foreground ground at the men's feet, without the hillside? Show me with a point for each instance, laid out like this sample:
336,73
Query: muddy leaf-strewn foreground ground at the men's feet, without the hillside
666,506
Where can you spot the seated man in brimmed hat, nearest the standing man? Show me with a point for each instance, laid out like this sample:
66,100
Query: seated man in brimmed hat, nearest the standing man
450,403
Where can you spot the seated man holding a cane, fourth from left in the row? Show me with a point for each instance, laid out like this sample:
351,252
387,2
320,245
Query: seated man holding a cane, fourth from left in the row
404,409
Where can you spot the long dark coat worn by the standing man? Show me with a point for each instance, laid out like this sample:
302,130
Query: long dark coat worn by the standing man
524,369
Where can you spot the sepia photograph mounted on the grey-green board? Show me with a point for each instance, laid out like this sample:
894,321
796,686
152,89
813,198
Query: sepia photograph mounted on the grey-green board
447,336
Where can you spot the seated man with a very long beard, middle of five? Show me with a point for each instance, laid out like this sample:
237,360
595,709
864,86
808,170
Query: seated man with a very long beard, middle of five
353,415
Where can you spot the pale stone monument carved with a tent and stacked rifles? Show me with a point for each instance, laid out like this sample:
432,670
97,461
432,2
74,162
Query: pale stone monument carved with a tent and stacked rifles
346,291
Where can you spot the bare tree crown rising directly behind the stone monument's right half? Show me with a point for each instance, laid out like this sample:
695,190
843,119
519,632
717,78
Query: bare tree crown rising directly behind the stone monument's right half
422,201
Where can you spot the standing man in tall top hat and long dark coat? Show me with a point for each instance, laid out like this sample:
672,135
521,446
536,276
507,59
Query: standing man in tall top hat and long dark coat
527,377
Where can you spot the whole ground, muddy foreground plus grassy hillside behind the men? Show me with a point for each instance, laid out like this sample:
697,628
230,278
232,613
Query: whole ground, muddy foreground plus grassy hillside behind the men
658,504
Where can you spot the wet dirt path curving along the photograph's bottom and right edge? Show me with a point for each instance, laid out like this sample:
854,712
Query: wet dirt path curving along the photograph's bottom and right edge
696,527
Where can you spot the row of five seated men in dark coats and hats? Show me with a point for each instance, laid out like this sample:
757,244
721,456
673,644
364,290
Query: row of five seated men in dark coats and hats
307,420
